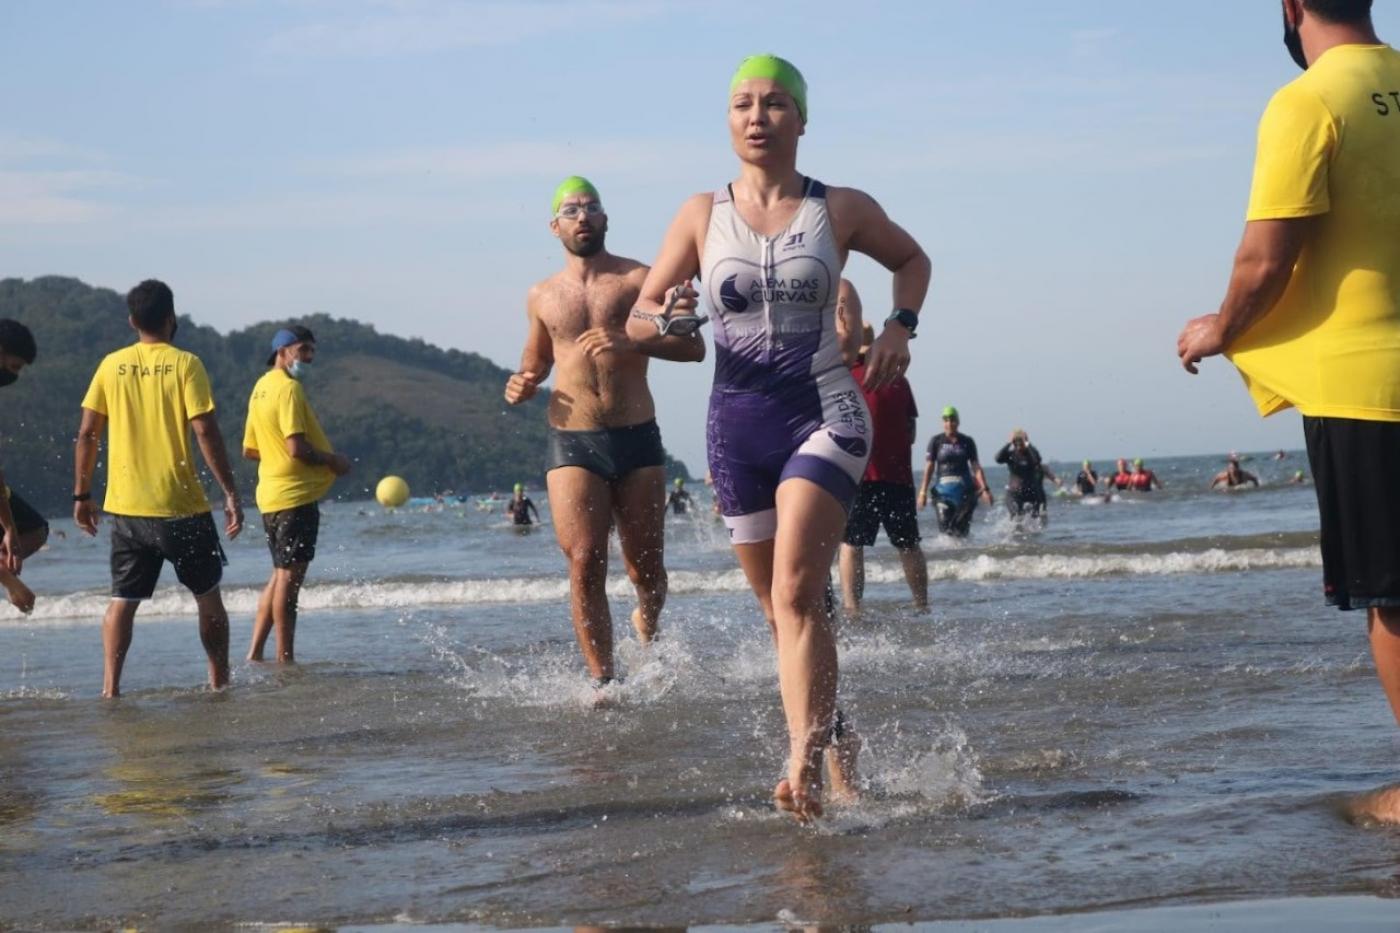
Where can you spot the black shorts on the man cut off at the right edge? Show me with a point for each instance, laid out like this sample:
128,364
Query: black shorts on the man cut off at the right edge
1357,476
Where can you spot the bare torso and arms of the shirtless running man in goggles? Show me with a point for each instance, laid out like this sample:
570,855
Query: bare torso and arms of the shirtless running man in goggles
570,313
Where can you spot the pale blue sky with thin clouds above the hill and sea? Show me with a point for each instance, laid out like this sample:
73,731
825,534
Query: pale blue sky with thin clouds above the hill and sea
1077,173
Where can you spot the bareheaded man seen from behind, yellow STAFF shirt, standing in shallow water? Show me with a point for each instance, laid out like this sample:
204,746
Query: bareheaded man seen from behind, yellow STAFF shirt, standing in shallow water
149,397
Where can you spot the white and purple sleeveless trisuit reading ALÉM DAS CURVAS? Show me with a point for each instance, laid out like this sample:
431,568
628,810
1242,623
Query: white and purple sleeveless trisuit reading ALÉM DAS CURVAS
783,403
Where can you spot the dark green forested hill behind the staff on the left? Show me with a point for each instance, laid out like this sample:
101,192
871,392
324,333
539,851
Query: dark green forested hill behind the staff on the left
395,407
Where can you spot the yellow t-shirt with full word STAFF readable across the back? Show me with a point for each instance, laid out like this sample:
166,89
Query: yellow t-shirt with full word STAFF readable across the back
149,393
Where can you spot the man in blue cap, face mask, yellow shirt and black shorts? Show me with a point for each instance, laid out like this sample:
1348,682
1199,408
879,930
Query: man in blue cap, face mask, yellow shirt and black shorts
296,467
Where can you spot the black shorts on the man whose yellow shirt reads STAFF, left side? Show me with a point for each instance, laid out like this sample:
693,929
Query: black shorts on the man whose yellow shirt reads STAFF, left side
141,547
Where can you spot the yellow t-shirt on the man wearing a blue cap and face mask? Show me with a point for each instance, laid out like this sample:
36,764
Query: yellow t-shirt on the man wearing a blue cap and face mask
276,411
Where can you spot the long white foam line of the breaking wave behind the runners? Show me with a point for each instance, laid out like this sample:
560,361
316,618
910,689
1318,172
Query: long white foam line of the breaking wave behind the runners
554,589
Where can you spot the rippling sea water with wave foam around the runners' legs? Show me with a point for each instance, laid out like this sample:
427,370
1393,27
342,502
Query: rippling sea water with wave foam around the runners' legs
1144,704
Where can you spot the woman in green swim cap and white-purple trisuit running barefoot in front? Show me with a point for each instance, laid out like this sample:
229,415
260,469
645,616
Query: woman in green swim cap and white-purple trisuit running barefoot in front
789,432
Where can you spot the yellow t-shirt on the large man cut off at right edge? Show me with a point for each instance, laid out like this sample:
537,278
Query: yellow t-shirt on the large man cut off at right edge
1329,146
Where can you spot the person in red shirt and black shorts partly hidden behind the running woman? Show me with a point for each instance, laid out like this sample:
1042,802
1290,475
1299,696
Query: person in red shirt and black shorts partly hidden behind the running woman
887,492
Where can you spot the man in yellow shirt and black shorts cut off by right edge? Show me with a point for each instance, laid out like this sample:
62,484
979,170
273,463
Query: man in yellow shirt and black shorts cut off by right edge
1312,315
